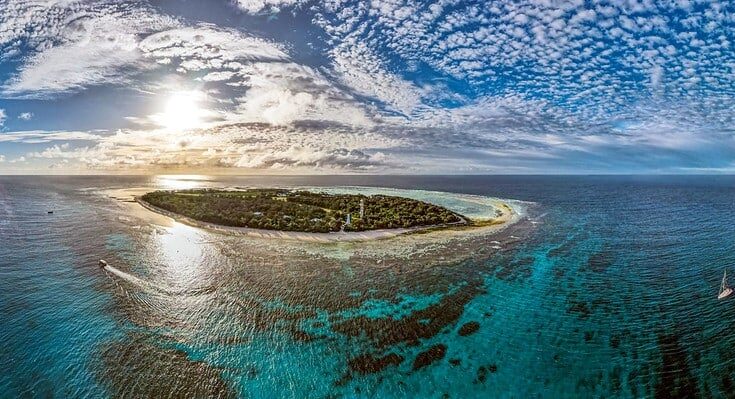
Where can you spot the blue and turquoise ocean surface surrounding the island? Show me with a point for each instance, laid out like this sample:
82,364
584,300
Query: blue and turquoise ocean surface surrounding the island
606,288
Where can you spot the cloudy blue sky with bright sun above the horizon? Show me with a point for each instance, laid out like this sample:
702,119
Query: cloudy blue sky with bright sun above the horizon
381,86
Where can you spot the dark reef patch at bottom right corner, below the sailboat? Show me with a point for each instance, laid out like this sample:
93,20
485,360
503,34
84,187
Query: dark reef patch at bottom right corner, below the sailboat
675,378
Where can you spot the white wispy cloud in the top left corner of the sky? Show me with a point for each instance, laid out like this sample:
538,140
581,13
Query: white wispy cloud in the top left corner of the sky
74,45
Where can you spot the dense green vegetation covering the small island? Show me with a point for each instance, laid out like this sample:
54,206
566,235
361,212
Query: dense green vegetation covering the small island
276,209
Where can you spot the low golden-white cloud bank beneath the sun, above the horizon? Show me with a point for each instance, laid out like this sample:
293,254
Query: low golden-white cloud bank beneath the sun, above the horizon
262,146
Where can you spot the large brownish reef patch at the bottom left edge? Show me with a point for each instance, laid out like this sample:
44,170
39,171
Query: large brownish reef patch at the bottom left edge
128,368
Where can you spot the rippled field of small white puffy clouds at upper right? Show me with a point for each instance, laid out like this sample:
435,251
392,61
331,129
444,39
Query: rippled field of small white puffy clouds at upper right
587,59
